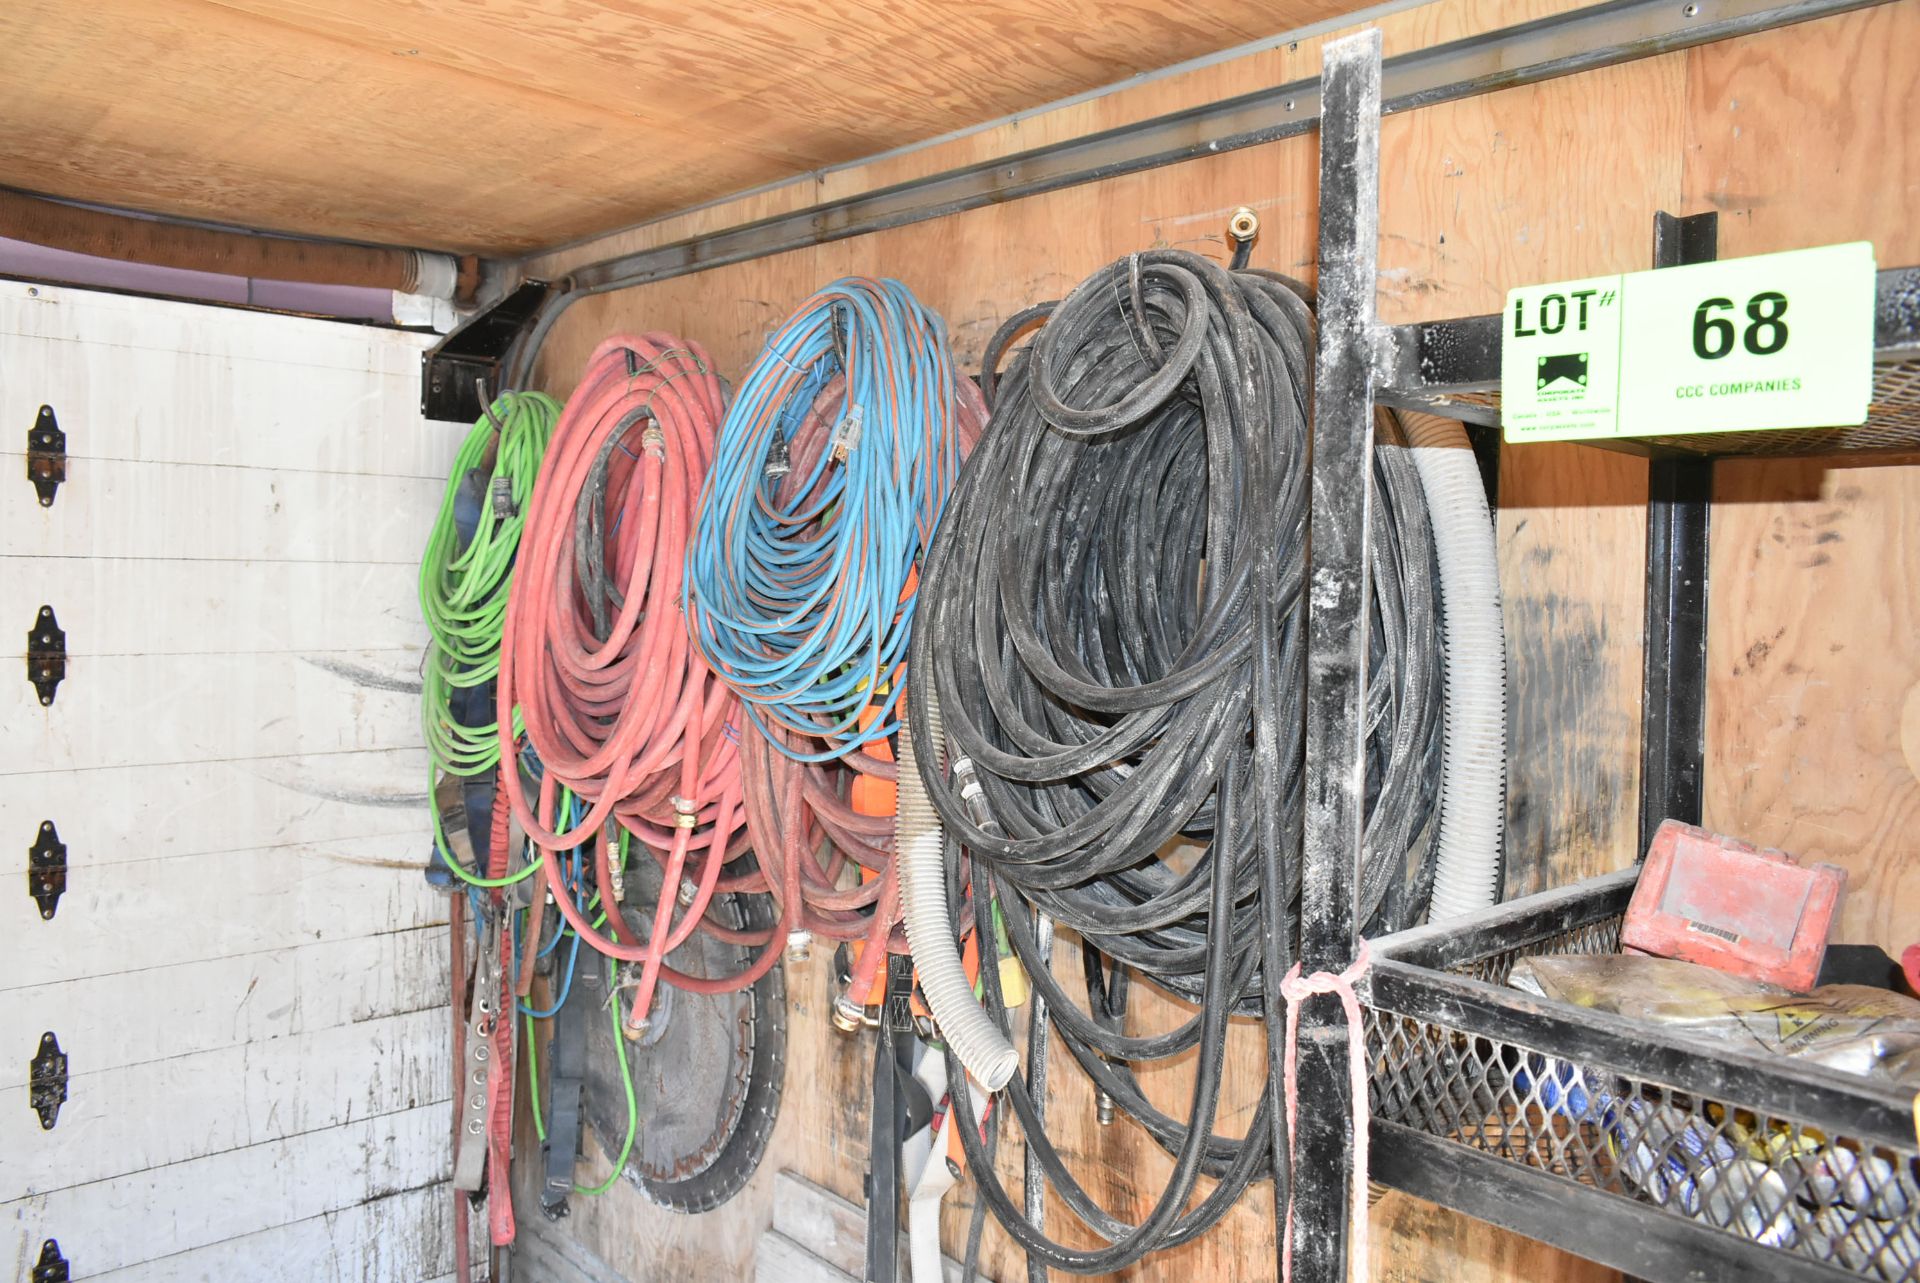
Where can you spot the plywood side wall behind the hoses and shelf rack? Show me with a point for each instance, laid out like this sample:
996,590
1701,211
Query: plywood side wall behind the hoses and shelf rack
1798,137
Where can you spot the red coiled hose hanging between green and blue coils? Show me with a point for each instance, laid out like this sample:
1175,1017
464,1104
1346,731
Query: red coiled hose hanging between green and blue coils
619,708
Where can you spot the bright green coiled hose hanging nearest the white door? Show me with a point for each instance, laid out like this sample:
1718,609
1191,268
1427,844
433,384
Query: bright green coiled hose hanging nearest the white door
466,581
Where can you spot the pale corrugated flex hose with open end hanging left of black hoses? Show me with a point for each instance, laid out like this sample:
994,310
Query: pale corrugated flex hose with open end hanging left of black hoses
921,850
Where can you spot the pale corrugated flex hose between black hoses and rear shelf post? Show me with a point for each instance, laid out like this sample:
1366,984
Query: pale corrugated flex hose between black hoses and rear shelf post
1474,773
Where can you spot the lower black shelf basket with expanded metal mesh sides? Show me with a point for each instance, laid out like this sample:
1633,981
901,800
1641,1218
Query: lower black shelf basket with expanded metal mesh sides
1620,1140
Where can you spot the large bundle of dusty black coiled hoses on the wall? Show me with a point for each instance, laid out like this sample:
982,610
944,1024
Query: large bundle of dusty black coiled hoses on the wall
1113,625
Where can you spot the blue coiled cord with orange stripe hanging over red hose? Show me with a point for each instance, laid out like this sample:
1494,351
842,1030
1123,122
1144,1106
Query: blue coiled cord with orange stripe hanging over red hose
800,606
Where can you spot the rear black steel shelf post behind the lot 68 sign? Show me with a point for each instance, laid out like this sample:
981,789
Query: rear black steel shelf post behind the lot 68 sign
1673,715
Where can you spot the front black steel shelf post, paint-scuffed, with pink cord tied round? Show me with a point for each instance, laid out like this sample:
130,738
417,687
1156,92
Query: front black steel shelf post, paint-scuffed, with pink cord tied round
1337,639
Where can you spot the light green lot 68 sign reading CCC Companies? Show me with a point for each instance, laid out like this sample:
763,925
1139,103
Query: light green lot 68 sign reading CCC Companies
1781,341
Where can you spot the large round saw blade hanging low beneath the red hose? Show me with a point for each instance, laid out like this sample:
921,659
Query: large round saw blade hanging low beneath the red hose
709,1073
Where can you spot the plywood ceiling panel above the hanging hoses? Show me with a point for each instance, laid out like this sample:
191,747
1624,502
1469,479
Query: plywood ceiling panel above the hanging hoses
508,126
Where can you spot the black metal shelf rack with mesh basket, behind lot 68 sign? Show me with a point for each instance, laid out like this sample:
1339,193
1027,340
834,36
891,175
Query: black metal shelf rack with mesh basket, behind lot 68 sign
1614,1140
